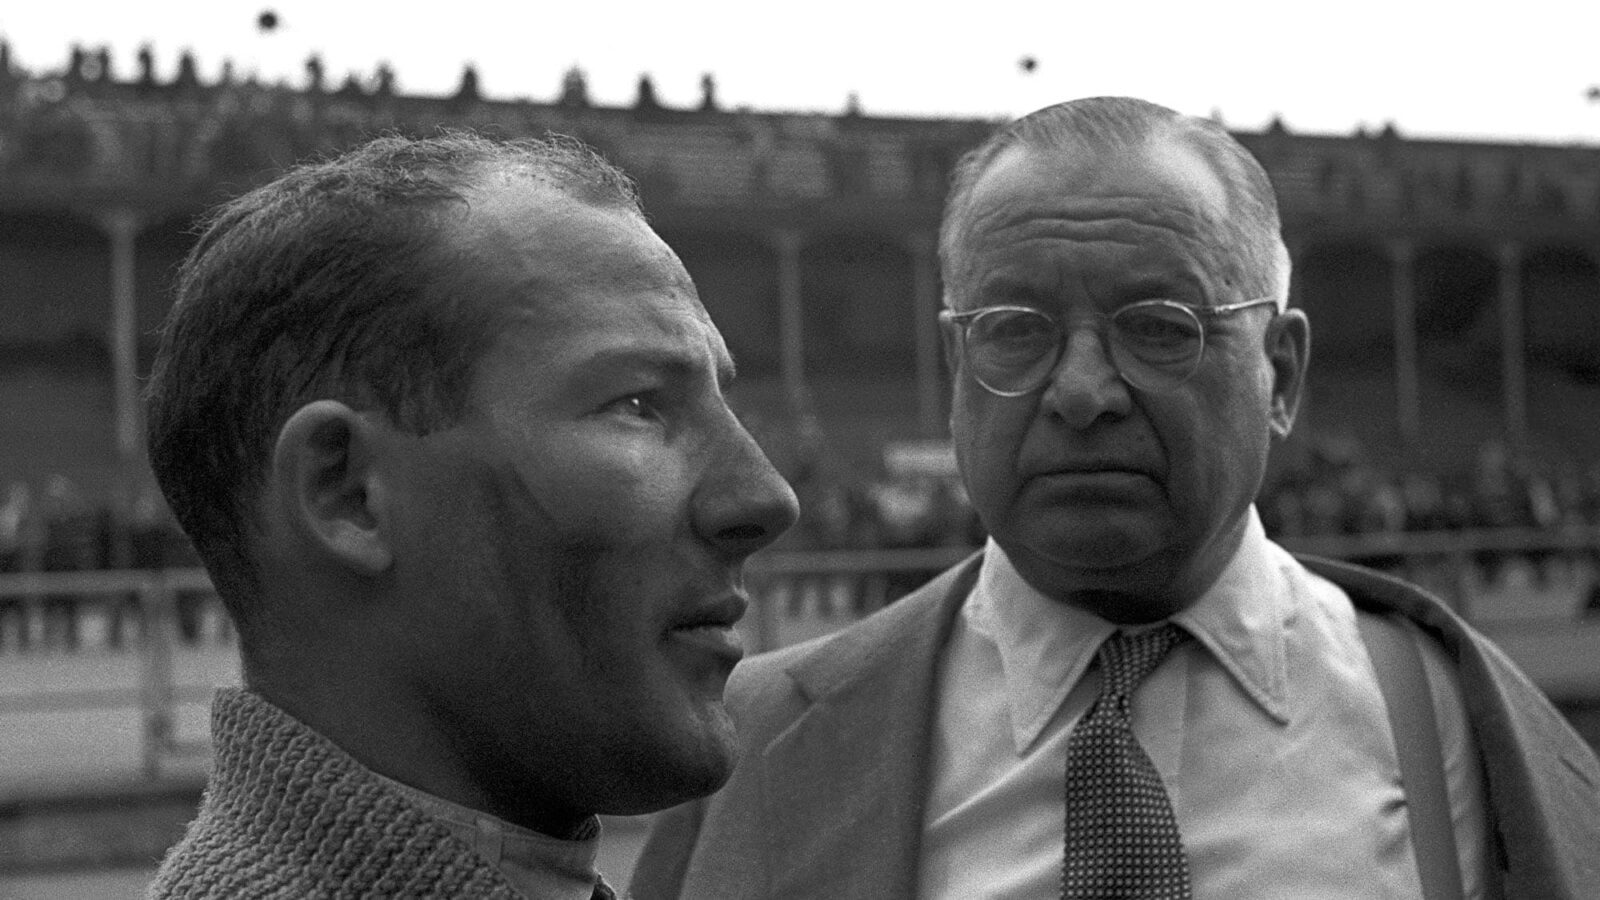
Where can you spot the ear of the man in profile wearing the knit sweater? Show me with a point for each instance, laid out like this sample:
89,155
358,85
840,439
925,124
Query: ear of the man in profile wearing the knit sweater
326,484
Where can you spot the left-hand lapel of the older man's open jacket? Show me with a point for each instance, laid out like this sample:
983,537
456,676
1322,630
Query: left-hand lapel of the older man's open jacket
844,787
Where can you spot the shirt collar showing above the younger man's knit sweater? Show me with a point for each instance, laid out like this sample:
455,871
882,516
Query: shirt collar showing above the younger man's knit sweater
538,864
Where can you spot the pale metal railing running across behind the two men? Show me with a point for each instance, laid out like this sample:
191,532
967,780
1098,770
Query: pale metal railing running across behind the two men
156,613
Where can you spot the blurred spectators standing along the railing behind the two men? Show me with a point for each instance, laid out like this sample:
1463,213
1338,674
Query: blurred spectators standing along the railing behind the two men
1330,489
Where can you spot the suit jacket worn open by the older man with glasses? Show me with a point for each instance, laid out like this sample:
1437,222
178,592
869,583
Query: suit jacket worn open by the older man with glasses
828,798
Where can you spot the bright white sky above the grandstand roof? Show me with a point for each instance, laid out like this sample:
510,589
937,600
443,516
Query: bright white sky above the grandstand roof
1436,68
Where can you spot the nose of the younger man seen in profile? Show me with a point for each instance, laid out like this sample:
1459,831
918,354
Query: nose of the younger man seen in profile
743,504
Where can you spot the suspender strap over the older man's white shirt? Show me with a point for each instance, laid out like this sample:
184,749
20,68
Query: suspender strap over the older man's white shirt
1404,683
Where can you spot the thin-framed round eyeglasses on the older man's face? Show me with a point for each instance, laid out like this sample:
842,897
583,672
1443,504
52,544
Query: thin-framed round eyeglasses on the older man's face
1156,345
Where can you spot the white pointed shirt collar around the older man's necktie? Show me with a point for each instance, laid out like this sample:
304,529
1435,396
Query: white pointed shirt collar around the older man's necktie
1046,646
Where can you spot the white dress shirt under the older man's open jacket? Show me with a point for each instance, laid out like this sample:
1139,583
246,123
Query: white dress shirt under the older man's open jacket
1270,733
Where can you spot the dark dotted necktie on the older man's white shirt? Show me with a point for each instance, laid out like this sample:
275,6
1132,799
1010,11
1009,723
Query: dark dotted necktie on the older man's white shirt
1121,835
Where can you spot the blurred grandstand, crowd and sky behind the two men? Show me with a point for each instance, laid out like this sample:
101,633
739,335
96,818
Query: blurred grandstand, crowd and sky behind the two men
1441,188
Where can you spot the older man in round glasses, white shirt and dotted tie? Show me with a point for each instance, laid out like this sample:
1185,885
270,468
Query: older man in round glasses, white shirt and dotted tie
1132,691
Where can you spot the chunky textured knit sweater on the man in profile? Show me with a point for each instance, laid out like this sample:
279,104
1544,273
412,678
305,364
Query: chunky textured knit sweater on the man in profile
289,814
